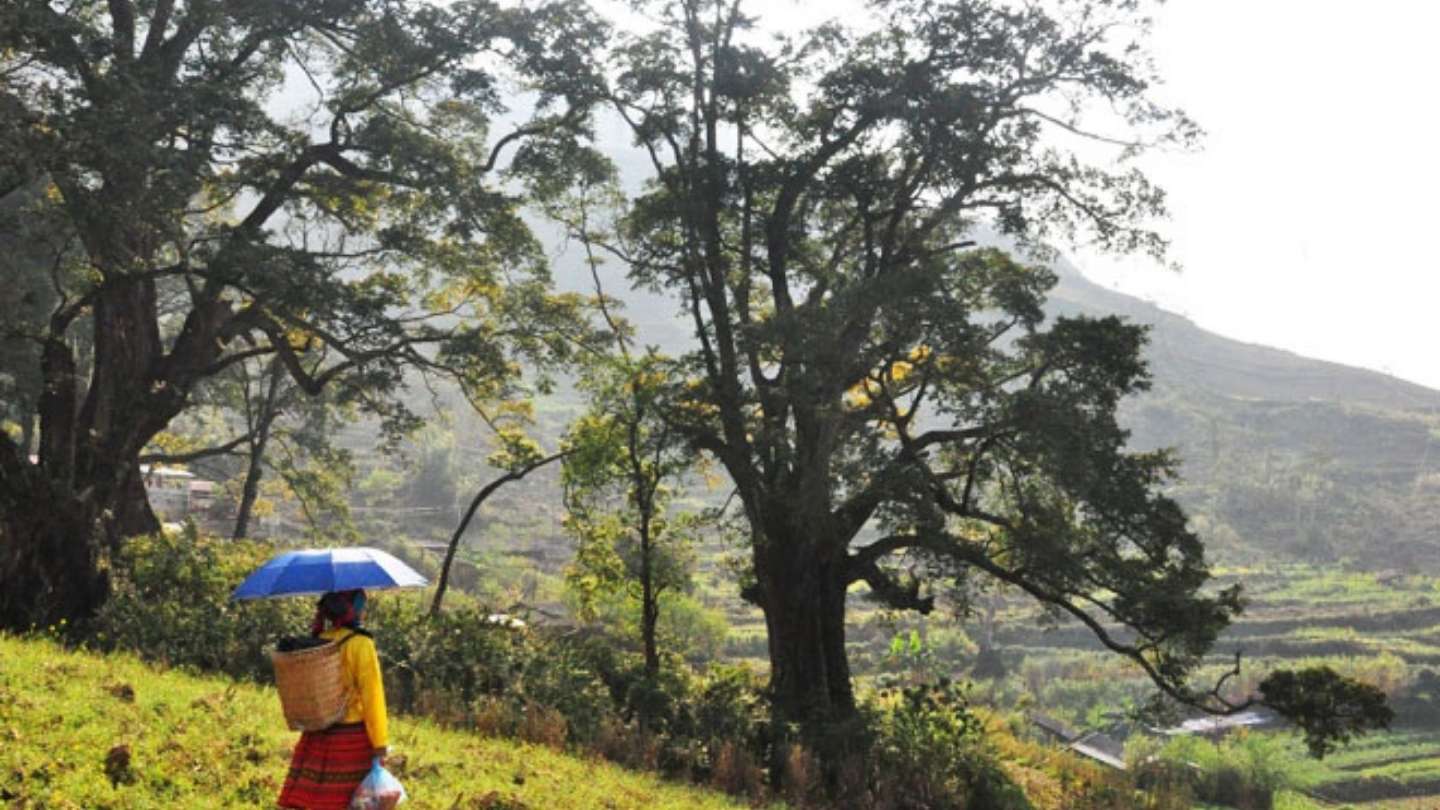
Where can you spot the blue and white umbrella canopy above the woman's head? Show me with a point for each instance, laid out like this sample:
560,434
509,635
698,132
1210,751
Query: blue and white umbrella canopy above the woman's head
320,571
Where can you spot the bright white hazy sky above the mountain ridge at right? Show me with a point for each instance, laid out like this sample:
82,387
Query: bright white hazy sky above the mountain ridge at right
1310,220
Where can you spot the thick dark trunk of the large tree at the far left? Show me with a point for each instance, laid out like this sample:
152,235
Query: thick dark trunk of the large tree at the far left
61,518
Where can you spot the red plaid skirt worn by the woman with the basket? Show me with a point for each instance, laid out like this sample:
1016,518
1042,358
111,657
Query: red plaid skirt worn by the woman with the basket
328,769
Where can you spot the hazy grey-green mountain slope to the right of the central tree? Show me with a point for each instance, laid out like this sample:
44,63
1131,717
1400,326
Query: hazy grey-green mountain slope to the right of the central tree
1282,456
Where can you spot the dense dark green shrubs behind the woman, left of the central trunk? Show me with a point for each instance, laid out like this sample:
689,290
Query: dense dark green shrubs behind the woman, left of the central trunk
172,605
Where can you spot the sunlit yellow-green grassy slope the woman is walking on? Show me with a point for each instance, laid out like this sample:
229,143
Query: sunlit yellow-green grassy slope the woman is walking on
204,743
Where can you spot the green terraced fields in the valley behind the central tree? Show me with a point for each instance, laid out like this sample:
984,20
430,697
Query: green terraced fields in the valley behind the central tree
1383,628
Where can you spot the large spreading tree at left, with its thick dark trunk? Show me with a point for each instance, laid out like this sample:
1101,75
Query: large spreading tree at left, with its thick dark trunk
329,184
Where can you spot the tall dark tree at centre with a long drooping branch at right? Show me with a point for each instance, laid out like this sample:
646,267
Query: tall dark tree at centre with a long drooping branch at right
886,396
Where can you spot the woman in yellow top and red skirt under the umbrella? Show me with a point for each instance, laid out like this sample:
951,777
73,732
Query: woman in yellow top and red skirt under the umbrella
330,765
